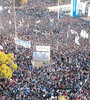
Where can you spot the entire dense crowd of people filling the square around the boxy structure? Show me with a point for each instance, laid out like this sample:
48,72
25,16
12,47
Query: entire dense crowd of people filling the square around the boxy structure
68,72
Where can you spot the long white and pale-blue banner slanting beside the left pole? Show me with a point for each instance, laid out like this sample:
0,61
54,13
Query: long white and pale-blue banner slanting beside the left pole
26,44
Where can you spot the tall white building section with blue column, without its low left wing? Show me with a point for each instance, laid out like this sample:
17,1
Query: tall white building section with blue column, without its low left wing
80,8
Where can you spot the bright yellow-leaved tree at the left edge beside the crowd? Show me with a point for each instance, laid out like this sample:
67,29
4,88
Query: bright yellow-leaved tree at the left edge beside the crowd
7,65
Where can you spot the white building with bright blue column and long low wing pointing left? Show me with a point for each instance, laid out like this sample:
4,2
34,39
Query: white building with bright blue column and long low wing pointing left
76,8
